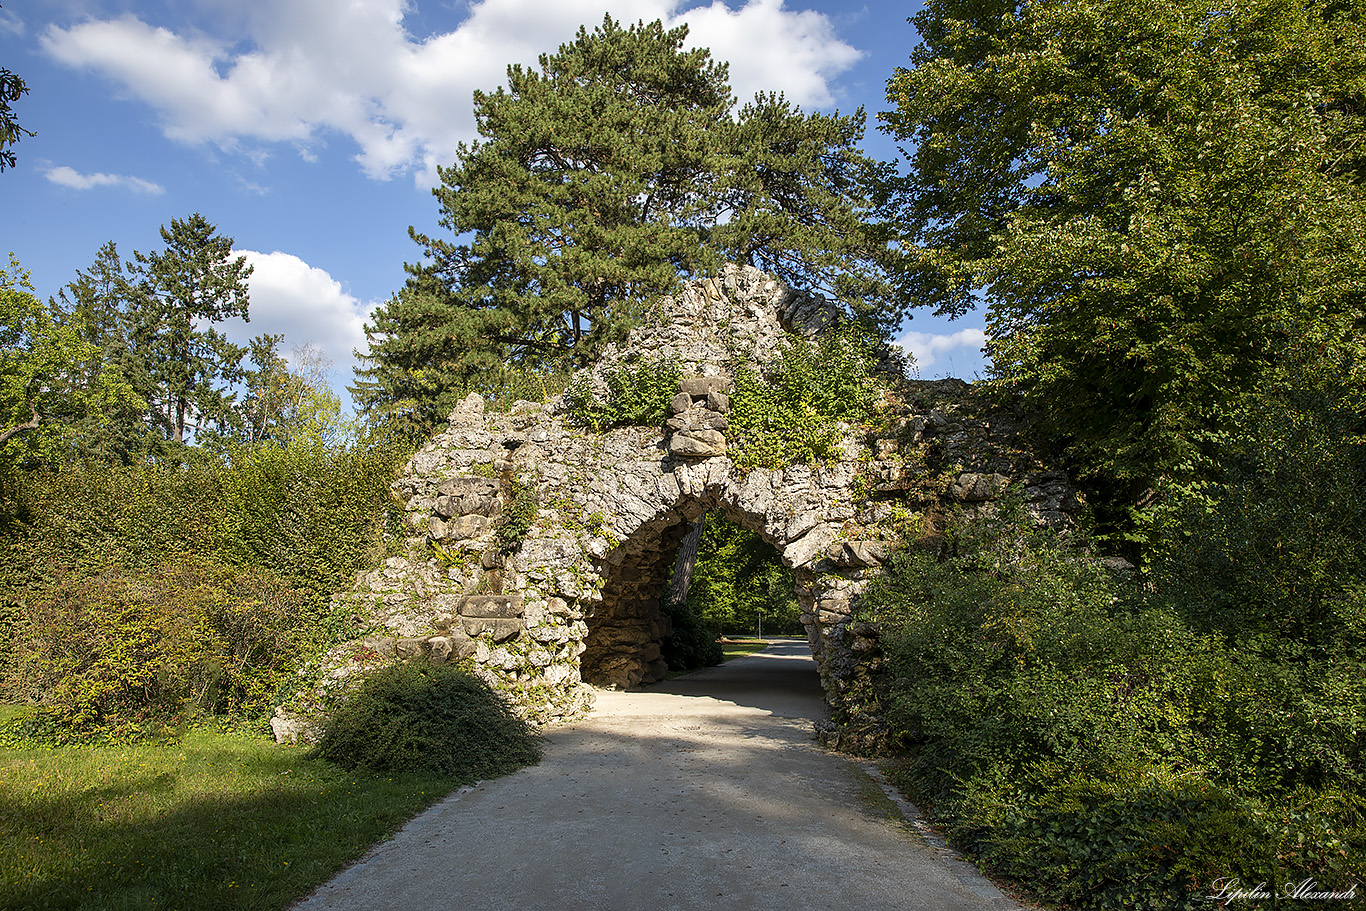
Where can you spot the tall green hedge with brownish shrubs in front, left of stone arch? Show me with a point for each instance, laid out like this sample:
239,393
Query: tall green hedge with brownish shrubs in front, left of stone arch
103,548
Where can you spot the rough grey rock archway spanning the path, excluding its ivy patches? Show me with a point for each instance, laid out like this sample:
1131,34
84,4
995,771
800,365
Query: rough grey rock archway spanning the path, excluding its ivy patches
574,599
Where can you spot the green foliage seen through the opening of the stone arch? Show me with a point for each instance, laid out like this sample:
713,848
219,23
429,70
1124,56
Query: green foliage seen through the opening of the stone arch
738,580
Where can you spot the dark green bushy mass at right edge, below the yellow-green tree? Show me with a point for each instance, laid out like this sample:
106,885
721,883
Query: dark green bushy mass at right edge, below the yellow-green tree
1272,550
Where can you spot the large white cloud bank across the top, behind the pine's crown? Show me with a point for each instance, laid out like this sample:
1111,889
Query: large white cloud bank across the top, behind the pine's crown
297,72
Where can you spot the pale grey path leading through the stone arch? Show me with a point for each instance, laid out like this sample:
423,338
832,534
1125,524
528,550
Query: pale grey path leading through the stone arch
706,793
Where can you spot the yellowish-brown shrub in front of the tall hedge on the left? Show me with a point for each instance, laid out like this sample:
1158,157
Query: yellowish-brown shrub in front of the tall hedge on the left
121,655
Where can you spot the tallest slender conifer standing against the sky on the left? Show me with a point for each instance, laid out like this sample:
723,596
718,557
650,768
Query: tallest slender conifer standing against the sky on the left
180,294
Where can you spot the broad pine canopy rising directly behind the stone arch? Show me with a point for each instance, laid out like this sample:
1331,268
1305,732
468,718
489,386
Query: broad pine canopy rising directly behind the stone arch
602,178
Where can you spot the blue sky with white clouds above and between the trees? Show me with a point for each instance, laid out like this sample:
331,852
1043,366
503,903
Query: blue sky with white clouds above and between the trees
311,130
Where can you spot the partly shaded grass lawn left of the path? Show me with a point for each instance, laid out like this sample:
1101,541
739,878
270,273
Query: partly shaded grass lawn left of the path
214,822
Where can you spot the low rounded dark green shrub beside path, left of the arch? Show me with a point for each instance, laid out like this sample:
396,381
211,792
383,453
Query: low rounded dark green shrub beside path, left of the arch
417,716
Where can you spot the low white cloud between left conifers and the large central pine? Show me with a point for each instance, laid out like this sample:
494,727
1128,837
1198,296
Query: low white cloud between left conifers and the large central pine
307,307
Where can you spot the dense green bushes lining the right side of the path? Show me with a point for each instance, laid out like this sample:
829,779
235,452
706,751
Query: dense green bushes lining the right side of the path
1078,734
